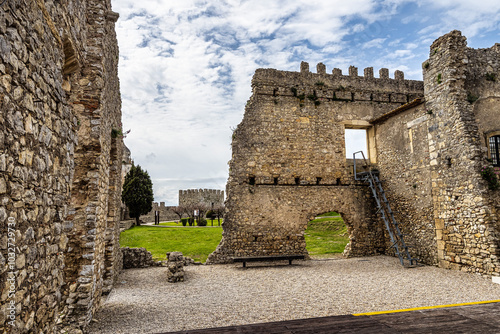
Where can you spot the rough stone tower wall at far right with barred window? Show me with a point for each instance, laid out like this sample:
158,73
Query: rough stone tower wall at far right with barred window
466,219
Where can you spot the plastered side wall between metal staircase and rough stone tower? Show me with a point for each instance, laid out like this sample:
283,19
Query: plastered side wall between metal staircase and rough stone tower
403,162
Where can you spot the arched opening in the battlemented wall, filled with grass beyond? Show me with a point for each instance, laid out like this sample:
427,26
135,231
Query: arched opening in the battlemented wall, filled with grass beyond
327,235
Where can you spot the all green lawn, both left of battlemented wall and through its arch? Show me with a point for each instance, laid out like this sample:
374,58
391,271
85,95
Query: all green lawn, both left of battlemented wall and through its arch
325,237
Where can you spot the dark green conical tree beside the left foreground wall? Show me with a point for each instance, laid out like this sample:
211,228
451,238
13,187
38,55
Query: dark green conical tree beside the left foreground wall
137,192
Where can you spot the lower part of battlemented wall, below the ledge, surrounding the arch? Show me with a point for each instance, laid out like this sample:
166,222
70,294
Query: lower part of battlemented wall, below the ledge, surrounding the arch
271,219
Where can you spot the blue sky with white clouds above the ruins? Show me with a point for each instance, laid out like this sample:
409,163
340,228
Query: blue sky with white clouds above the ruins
186,65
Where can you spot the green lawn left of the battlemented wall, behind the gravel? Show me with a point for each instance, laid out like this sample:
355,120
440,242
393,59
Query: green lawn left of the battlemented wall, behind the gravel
197,243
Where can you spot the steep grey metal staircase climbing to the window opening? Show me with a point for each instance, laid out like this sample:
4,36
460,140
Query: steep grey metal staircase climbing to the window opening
386,212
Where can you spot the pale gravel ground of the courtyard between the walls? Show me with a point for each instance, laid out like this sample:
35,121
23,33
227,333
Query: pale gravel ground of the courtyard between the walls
224,295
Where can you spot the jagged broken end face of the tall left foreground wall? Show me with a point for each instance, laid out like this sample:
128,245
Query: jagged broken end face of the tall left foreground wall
93,228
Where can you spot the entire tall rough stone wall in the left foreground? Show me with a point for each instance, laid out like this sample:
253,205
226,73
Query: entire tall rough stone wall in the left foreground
60,162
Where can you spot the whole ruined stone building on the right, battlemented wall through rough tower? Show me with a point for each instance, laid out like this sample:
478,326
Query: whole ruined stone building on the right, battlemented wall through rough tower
429,140
